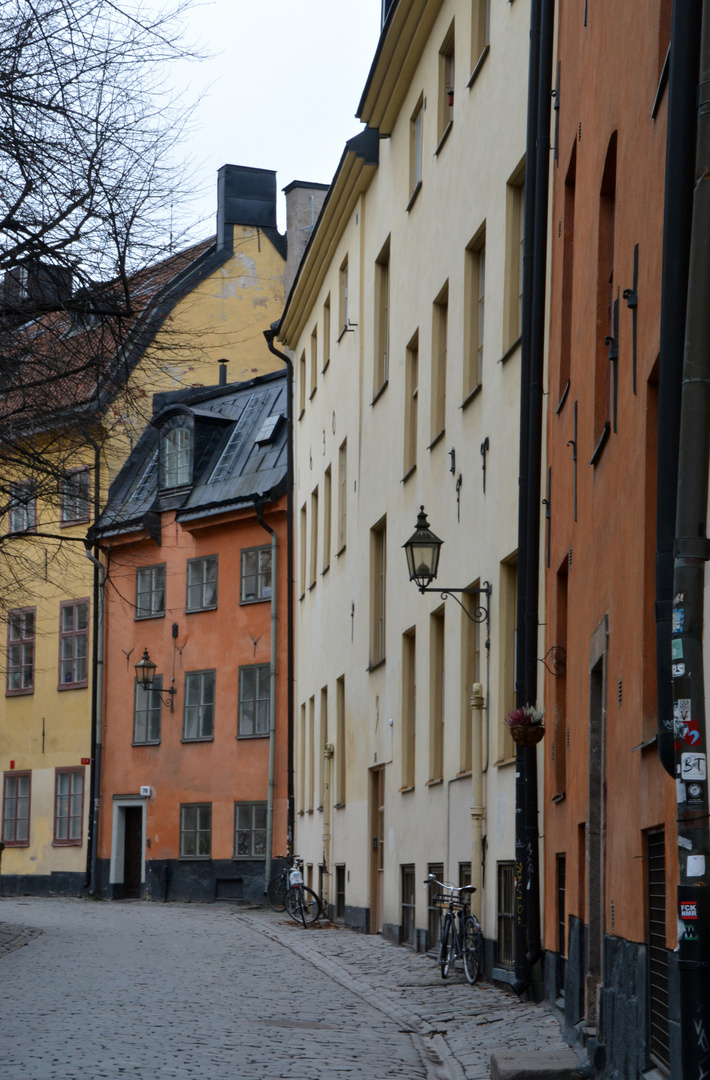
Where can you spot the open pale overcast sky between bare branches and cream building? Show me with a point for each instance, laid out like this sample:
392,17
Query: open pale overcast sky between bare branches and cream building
280,89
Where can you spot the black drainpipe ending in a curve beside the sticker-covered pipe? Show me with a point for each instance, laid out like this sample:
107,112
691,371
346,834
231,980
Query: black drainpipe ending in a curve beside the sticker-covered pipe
678,220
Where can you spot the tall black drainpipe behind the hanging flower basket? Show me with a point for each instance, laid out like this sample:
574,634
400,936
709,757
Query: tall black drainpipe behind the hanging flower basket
528,907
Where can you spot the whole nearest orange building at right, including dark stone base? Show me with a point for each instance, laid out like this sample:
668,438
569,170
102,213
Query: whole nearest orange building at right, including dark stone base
610,807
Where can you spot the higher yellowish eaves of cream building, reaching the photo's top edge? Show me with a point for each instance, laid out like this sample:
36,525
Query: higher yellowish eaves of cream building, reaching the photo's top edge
400,49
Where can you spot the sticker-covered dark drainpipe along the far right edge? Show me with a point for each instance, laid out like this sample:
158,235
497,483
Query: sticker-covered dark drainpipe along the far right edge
692,552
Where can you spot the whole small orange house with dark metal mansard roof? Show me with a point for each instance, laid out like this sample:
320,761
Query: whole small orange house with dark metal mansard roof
187,812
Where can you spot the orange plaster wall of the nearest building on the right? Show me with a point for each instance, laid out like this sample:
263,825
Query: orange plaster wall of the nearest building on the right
609,82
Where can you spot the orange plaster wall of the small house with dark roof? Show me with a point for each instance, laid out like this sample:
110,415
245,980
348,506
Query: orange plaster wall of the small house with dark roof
226,769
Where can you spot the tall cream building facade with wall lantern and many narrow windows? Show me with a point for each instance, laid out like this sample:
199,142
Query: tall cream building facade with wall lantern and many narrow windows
405,326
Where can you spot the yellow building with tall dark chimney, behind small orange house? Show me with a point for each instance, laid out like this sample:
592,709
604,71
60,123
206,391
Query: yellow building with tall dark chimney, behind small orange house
200,317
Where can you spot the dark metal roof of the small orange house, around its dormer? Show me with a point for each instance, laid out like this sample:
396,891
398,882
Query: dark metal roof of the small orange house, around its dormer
231,469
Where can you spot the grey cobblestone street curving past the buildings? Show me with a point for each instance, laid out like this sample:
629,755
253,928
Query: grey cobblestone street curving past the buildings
139,991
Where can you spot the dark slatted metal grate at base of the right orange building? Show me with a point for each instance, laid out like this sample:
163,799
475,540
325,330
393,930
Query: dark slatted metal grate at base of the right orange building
658,953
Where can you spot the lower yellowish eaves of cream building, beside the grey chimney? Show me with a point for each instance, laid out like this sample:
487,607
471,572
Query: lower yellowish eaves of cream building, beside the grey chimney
354,177
